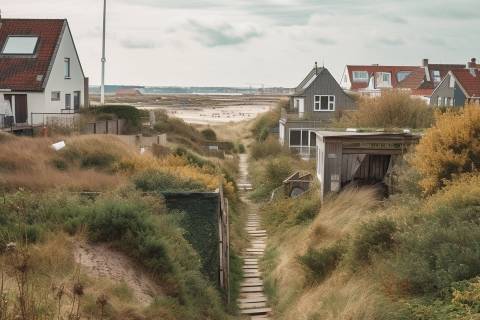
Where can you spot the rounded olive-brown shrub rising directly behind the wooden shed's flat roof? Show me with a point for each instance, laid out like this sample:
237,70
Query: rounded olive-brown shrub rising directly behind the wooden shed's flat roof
393,109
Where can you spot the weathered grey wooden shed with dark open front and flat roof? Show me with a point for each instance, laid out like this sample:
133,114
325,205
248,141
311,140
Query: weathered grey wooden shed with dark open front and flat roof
365,157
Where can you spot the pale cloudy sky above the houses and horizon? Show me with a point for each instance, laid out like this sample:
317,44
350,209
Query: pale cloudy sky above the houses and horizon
254,42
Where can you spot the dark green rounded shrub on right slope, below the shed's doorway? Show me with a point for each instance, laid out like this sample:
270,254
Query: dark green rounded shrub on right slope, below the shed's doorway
372,238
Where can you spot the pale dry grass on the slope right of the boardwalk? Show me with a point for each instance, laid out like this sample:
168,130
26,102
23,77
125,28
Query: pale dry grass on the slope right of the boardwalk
341,296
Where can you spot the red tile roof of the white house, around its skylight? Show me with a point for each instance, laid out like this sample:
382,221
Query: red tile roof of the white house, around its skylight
23,73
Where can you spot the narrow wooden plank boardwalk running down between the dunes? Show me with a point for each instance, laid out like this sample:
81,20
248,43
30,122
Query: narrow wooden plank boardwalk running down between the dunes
252,301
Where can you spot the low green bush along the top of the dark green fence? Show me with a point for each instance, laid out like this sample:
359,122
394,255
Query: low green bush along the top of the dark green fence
155,181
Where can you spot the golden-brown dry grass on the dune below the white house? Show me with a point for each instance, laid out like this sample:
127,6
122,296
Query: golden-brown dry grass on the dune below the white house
30,163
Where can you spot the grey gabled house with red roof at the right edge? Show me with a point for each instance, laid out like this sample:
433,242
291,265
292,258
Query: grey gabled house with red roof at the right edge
458,87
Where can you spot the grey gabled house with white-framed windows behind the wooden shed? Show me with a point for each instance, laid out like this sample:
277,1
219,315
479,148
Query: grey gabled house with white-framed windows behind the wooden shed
317,101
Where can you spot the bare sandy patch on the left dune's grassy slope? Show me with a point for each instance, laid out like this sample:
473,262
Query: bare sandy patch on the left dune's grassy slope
102,262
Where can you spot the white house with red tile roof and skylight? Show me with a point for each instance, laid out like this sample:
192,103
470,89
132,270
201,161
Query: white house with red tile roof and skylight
40,71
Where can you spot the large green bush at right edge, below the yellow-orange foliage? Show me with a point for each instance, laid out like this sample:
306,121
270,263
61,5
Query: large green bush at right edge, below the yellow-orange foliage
443,248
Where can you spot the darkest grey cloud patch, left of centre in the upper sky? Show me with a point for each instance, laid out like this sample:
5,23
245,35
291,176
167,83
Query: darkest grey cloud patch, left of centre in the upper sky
222,35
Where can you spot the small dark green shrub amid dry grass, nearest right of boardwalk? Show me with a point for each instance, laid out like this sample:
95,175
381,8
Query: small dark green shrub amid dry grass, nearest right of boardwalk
320,263
